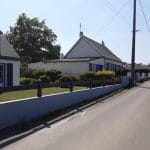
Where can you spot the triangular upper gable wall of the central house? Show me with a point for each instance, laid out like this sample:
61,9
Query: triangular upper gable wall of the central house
83,49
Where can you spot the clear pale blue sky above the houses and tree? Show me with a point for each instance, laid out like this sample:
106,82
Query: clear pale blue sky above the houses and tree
107,20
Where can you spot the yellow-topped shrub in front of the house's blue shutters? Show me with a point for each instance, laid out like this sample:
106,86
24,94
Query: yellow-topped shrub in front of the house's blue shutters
105,75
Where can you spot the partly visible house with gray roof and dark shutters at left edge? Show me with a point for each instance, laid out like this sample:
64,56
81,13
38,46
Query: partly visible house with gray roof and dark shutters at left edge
9,64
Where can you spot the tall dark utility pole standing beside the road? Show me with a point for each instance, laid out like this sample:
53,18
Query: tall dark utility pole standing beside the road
133,45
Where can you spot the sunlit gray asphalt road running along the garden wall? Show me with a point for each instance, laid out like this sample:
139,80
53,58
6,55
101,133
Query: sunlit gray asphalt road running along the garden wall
121,122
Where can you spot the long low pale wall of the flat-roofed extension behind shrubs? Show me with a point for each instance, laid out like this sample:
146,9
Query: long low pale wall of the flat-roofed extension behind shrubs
68,68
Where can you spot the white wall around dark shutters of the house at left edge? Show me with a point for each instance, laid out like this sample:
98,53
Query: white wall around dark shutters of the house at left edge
16,70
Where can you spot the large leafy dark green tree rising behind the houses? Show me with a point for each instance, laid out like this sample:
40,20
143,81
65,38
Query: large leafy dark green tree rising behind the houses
32,38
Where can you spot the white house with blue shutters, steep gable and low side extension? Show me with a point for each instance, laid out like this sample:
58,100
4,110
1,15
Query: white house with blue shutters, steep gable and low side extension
86,55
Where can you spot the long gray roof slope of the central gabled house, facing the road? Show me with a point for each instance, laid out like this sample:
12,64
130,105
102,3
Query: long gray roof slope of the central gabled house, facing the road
102,49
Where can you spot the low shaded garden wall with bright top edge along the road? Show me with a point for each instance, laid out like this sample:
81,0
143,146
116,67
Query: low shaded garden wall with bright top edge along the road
18,111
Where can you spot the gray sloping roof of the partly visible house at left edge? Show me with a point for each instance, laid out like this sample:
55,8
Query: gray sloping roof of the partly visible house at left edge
6,50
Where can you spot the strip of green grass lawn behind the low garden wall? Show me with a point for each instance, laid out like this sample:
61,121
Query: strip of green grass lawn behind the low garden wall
7,96
